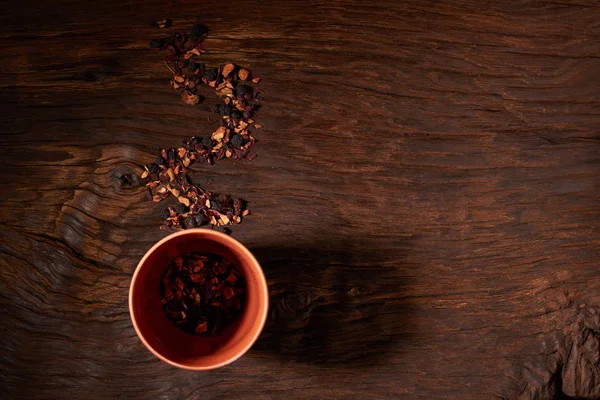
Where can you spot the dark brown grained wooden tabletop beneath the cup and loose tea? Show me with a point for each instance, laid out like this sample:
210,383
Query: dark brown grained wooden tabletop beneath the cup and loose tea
426,197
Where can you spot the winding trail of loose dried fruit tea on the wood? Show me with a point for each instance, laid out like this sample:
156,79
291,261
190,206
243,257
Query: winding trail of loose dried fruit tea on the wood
167,175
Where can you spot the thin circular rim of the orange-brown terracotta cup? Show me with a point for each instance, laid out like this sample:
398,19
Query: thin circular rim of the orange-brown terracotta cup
230,242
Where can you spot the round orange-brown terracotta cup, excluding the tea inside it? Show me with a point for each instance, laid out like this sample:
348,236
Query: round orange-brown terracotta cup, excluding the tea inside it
171,344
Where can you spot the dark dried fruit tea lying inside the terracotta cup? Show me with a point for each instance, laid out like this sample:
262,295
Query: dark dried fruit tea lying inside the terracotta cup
202,293
